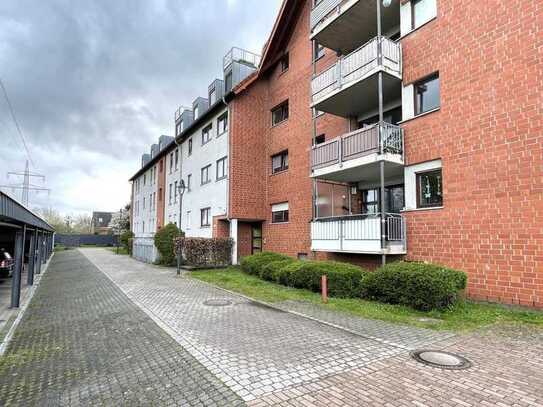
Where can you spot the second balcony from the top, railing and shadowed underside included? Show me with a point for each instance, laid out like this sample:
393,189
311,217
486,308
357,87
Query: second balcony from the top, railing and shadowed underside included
350,86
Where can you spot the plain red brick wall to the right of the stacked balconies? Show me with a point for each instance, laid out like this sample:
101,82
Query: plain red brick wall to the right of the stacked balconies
489,136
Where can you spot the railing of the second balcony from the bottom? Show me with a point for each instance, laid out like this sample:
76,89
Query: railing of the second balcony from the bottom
379,138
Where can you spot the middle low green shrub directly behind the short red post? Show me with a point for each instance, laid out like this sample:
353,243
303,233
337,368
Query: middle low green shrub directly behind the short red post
344,279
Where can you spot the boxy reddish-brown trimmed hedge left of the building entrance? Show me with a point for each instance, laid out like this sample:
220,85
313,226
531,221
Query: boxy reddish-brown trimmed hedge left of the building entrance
205,252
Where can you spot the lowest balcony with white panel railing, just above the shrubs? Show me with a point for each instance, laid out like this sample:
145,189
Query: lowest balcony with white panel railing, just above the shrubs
359,234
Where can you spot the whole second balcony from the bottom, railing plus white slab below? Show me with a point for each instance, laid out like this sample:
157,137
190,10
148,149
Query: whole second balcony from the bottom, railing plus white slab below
341,158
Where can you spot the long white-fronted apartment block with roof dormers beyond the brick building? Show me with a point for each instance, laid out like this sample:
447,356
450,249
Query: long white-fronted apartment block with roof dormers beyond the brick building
198,157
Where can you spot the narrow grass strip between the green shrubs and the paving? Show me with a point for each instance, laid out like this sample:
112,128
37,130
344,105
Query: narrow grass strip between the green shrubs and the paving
464,316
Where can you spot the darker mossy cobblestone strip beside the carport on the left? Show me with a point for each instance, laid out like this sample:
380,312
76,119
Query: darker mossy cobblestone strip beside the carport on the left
83,342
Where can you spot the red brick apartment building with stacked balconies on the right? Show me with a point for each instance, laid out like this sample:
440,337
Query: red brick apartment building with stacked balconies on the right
376,130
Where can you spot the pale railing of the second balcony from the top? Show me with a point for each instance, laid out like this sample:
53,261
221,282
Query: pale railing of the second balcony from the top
357,65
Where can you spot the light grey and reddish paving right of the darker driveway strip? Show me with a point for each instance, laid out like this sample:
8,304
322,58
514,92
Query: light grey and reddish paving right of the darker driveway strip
269,357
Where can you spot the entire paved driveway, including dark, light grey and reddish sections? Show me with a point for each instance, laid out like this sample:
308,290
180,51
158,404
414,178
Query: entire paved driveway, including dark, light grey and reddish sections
104,329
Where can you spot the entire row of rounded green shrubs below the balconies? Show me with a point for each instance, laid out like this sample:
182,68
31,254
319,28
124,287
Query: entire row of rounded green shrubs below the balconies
418,285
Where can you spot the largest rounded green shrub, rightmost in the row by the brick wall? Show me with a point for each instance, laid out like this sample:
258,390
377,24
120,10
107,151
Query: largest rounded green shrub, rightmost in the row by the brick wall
421,286
